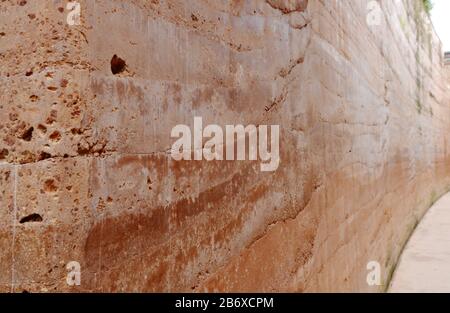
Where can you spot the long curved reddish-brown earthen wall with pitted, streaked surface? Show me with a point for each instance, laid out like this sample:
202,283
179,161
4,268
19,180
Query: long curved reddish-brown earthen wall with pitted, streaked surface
86,176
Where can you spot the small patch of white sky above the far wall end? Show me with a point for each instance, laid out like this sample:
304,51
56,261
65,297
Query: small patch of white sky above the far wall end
441,21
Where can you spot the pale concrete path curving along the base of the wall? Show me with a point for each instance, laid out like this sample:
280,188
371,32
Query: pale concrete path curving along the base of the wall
425,263
